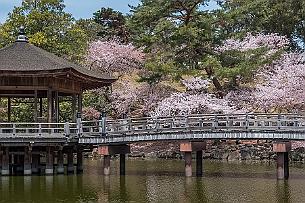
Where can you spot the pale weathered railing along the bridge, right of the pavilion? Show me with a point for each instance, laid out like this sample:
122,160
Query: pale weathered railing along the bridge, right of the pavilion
207,122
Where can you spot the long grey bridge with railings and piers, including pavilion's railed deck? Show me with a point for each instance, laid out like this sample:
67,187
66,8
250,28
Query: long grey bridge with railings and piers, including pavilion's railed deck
113,136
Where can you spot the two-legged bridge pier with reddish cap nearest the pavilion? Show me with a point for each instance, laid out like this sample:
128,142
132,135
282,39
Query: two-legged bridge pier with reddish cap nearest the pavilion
108,150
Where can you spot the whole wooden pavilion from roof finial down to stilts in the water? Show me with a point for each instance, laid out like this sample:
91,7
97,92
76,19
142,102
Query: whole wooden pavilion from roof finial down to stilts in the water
29,72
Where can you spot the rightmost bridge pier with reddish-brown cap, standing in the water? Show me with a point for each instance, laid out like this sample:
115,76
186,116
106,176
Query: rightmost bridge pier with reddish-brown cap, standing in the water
282,149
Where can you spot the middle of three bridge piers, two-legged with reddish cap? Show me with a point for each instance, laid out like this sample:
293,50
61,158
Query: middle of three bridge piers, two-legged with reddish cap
188,148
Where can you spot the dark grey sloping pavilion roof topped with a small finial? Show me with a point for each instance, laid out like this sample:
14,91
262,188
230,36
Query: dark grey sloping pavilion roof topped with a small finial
22,58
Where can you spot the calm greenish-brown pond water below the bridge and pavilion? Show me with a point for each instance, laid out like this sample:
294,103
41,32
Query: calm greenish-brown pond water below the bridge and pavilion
159,181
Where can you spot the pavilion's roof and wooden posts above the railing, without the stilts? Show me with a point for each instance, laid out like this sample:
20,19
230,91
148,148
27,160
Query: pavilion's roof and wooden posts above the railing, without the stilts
27,71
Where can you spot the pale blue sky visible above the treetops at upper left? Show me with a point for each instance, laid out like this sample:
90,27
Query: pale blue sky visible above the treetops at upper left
78,8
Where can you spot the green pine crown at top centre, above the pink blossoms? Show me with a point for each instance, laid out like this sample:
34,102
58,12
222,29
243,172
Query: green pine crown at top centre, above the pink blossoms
175,34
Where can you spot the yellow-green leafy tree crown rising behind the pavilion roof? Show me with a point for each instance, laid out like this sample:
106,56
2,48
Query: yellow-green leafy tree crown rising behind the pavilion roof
48,27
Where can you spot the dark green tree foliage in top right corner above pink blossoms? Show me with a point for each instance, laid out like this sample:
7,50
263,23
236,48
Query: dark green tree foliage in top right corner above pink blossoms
285,17
